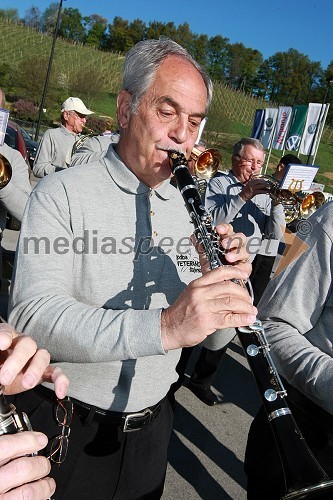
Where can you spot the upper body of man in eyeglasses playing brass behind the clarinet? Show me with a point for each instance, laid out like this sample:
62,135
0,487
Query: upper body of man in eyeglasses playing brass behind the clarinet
242,200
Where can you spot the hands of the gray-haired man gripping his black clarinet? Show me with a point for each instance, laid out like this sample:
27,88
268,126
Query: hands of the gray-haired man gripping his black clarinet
212,301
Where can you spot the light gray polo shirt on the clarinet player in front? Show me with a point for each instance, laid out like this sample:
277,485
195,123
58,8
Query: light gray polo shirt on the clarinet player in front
90,288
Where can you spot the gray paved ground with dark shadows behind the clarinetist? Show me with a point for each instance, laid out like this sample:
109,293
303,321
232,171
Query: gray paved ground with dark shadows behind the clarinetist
208,443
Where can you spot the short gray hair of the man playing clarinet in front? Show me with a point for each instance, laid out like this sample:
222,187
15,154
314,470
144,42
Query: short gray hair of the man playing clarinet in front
144,59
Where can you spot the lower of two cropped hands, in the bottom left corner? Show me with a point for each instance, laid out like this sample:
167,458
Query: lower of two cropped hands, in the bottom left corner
16,468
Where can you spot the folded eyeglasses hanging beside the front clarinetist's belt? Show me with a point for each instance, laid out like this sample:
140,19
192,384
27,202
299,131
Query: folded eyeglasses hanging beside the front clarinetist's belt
59,445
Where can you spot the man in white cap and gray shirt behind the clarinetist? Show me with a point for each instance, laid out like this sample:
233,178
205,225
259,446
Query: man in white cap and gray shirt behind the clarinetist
55,148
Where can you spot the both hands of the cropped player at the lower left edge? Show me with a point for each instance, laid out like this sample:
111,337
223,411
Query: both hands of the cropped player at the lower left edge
23,367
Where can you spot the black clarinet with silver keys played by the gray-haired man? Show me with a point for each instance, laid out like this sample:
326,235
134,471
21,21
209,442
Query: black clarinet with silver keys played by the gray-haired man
304,477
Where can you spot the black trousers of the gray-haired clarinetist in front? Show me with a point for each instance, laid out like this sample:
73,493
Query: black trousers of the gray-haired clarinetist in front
103,462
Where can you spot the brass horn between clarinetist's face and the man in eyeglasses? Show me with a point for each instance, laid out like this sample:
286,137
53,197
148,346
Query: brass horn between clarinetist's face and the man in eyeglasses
206,164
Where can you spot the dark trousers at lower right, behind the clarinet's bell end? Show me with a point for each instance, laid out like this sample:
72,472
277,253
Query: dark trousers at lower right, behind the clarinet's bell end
262,461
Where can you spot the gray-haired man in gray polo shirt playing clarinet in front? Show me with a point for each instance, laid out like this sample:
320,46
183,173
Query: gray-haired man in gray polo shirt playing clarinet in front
117,291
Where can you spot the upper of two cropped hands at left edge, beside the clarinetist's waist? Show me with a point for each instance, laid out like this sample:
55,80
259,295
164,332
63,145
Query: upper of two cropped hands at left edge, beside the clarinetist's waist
24,365
